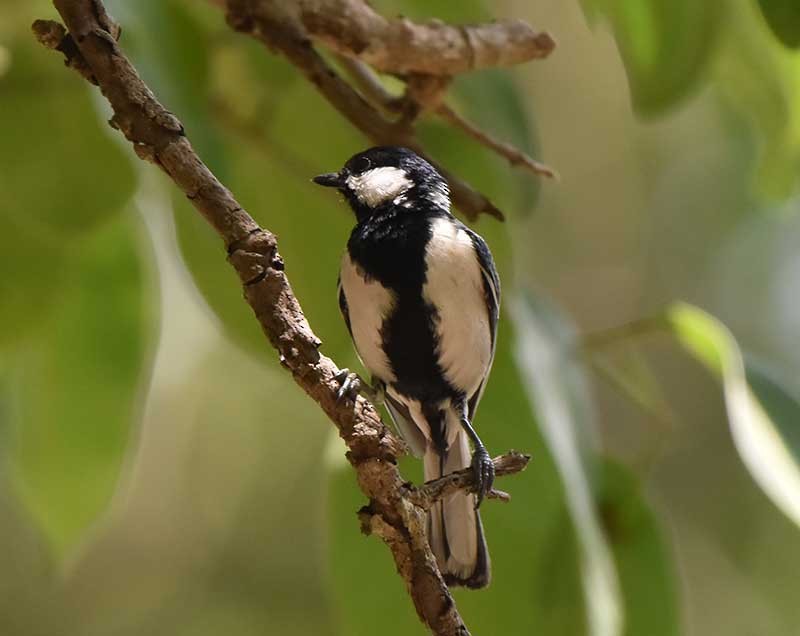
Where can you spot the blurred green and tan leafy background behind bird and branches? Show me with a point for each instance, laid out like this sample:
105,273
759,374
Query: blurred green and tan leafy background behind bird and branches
161,474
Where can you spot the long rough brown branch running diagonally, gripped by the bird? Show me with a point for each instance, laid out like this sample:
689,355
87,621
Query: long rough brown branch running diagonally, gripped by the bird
394,508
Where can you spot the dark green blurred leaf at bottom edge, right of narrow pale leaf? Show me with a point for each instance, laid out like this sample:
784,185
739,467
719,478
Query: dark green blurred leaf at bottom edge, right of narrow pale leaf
644,564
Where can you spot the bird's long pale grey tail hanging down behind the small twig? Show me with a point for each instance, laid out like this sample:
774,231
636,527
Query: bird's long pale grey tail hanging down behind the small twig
454,525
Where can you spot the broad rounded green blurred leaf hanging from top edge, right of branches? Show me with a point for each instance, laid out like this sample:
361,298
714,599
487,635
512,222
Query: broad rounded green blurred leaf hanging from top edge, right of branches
665,45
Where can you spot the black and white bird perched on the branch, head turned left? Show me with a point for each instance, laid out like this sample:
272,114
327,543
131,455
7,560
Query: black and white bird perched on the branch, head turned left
420,295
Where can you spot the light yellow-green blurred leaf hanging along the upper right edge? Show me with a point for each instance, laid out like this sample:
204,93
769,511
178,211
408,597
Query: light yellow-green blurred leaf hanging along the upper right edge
761,80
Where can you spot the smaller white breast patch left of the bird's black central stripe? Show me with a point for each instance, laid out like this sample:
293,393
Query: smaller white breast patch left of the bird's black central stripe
368,304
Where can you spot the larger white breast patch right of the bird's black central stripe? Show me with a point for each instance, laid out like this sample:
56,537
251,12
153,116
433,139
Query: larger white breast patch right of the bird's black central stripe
455,287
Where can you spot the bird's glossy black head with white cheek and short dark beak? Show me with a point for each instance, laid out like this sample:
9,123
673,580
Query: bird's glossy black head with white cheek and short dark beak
388,175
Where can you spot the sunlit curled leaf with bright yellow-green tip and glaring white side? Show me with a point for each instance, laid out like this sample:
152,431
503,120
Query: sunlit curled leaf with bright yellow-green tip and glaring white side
763,416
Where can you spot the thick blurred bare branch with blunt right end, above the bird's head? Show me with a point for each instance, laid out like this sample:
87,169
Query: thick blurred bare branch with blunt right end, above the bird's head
354,29
